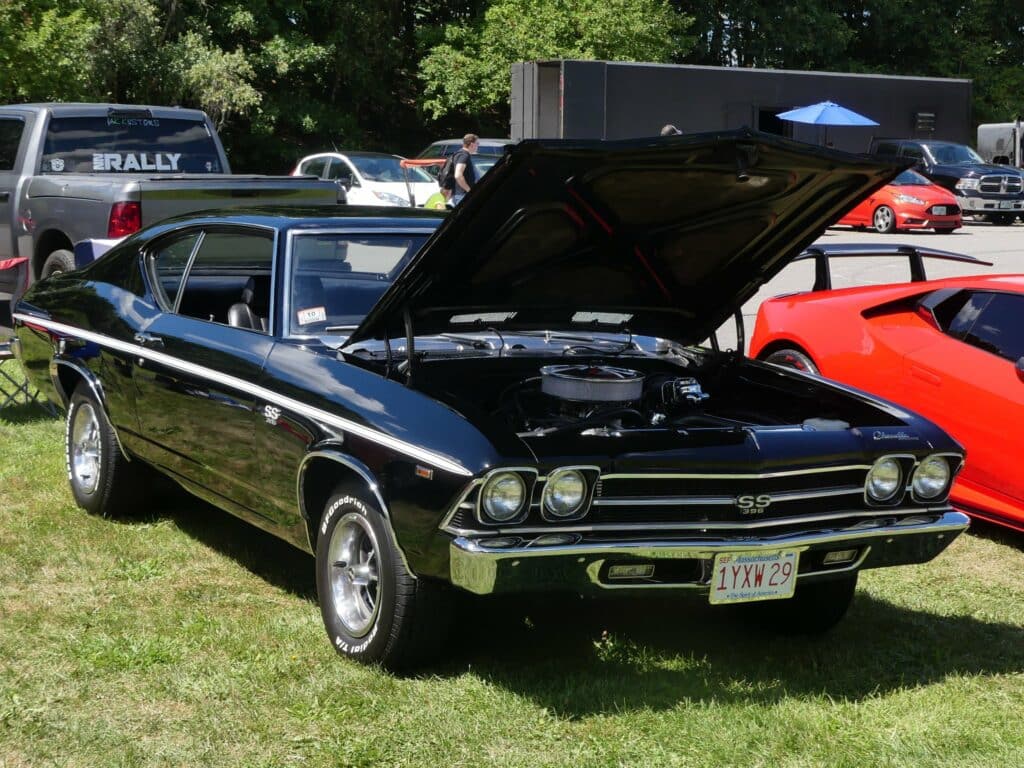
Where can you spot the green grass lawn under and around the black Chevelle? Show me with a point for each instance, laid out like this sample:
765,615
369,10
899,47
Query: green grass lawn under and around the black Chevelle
187,638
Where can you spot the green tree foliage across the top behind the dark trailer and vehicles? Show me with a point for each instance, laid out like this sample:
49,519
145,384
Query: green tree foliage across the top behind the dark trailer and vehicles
286,77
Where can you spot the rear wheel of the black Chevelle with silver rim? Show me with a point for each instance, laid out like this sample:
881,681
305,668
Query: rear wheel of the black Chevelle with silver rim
102,480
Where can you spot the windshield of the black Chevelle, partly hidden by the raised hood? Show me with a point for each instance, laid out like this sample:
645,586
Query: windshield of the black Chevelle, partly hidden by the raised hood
335,279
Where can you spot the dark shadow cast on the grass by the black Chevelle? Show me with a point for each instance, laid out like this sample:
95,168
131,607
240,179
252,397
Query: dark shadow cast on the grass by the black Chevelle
582,658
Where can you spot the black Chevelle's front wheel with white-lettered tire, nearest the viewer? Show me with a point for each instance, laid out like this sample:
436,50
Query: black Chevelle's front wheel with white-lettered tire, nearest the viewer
374,612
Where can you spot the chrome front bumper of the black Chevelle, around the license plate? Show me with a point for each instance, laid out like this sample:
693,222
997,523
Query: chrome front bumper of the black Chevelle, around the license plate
687,563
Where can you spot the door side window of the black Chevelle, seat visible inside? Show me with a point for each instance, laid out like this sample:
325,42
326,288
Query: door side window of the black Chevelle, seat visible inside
231,268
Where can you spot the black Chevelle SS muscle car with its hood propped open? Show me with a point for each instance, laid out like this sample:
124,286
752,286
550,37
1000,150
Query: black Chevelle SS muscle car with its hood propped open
509,399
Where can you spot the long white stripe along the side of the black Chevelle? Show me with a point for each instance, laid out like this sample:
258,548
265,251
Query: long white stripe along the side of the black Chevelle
263,394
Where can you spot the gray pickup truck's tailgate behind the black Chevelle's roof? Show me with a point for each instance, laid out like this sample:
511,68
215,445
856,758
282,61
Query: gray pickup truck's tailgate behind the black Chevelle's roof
163,198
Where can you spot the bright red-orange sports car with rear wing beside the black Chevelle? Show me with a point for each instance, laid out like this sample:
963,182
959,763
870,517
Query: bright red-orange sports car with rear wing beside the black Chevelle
951,350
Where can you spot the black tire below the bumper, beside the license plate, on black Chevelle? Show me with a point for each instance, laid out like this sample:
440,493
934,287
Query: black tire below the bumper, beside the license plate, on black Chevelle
816,609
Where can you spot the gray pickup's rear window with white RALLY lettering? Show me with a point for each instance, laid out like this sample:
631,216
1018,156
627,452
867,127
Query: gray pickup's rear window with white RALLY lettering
130,145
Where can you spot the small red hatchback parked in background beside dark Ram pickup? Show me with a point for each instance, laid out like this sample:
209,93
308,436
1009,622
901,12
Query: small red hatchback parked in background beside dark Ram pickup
910,202
